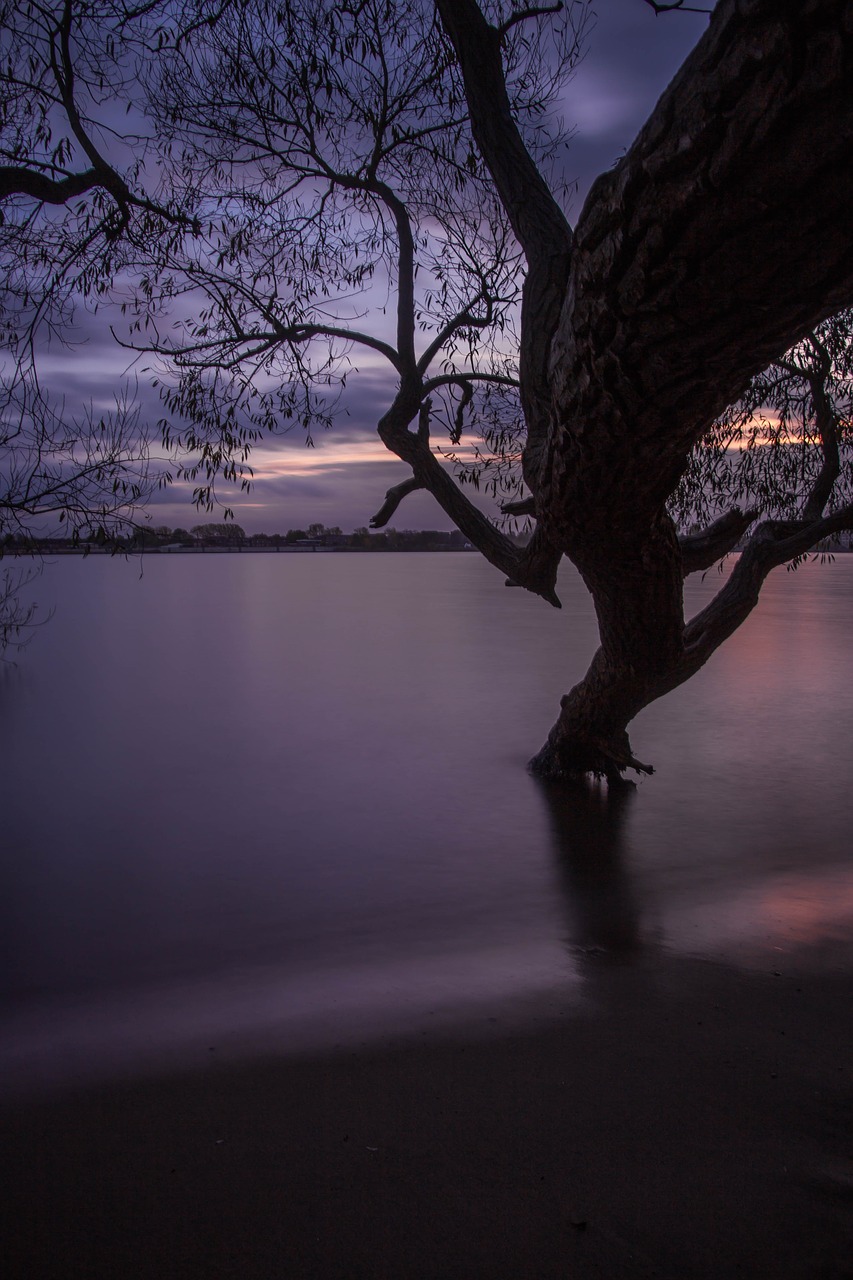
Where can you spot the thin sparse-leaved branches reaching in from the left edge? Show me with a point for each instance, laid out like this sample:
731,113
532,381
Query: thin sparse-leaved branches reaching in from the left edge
66,204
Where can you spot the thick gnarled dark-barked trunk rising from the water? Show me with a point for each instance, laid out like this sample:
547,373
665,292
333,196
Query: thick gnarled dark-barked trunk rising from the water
717,244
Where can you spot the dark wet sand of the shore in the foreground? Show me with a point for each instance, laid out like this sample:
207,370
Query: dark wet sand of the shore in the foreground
694,1122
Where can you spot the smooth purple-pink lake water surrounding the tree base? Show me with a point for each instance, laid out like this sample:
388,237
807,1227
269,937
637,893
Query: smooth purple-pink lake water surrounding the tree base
281,799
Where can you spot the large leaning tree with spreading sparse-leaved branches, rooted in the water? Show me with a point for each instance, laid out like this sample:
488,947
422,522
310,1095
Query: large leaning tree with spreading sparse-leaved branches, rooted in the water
320,147
